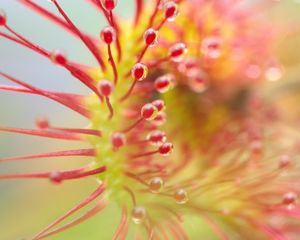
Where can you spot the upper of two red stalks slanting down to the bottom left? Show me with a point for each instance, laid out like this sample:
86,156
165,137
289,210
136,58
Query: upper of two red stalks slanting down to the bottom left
80,205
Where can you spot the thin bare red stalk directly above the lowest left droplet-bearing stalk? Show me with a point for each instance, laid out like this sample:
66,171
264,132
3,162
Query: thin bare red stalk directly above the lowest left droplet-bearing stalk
78,152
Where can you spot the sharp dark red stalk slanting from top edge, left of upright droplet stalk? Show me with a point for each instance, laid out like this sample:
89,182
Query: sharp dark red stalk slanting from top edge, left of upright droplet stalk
88,43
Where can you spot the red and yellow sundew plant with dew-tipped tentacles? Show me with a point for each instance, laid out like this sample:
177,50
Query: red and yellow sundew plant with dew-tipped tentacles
167,139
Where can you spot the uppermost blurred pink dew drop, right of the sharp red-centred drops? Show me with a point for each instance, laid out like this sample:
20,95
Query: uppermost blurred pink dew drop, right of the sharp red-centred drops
211,47
